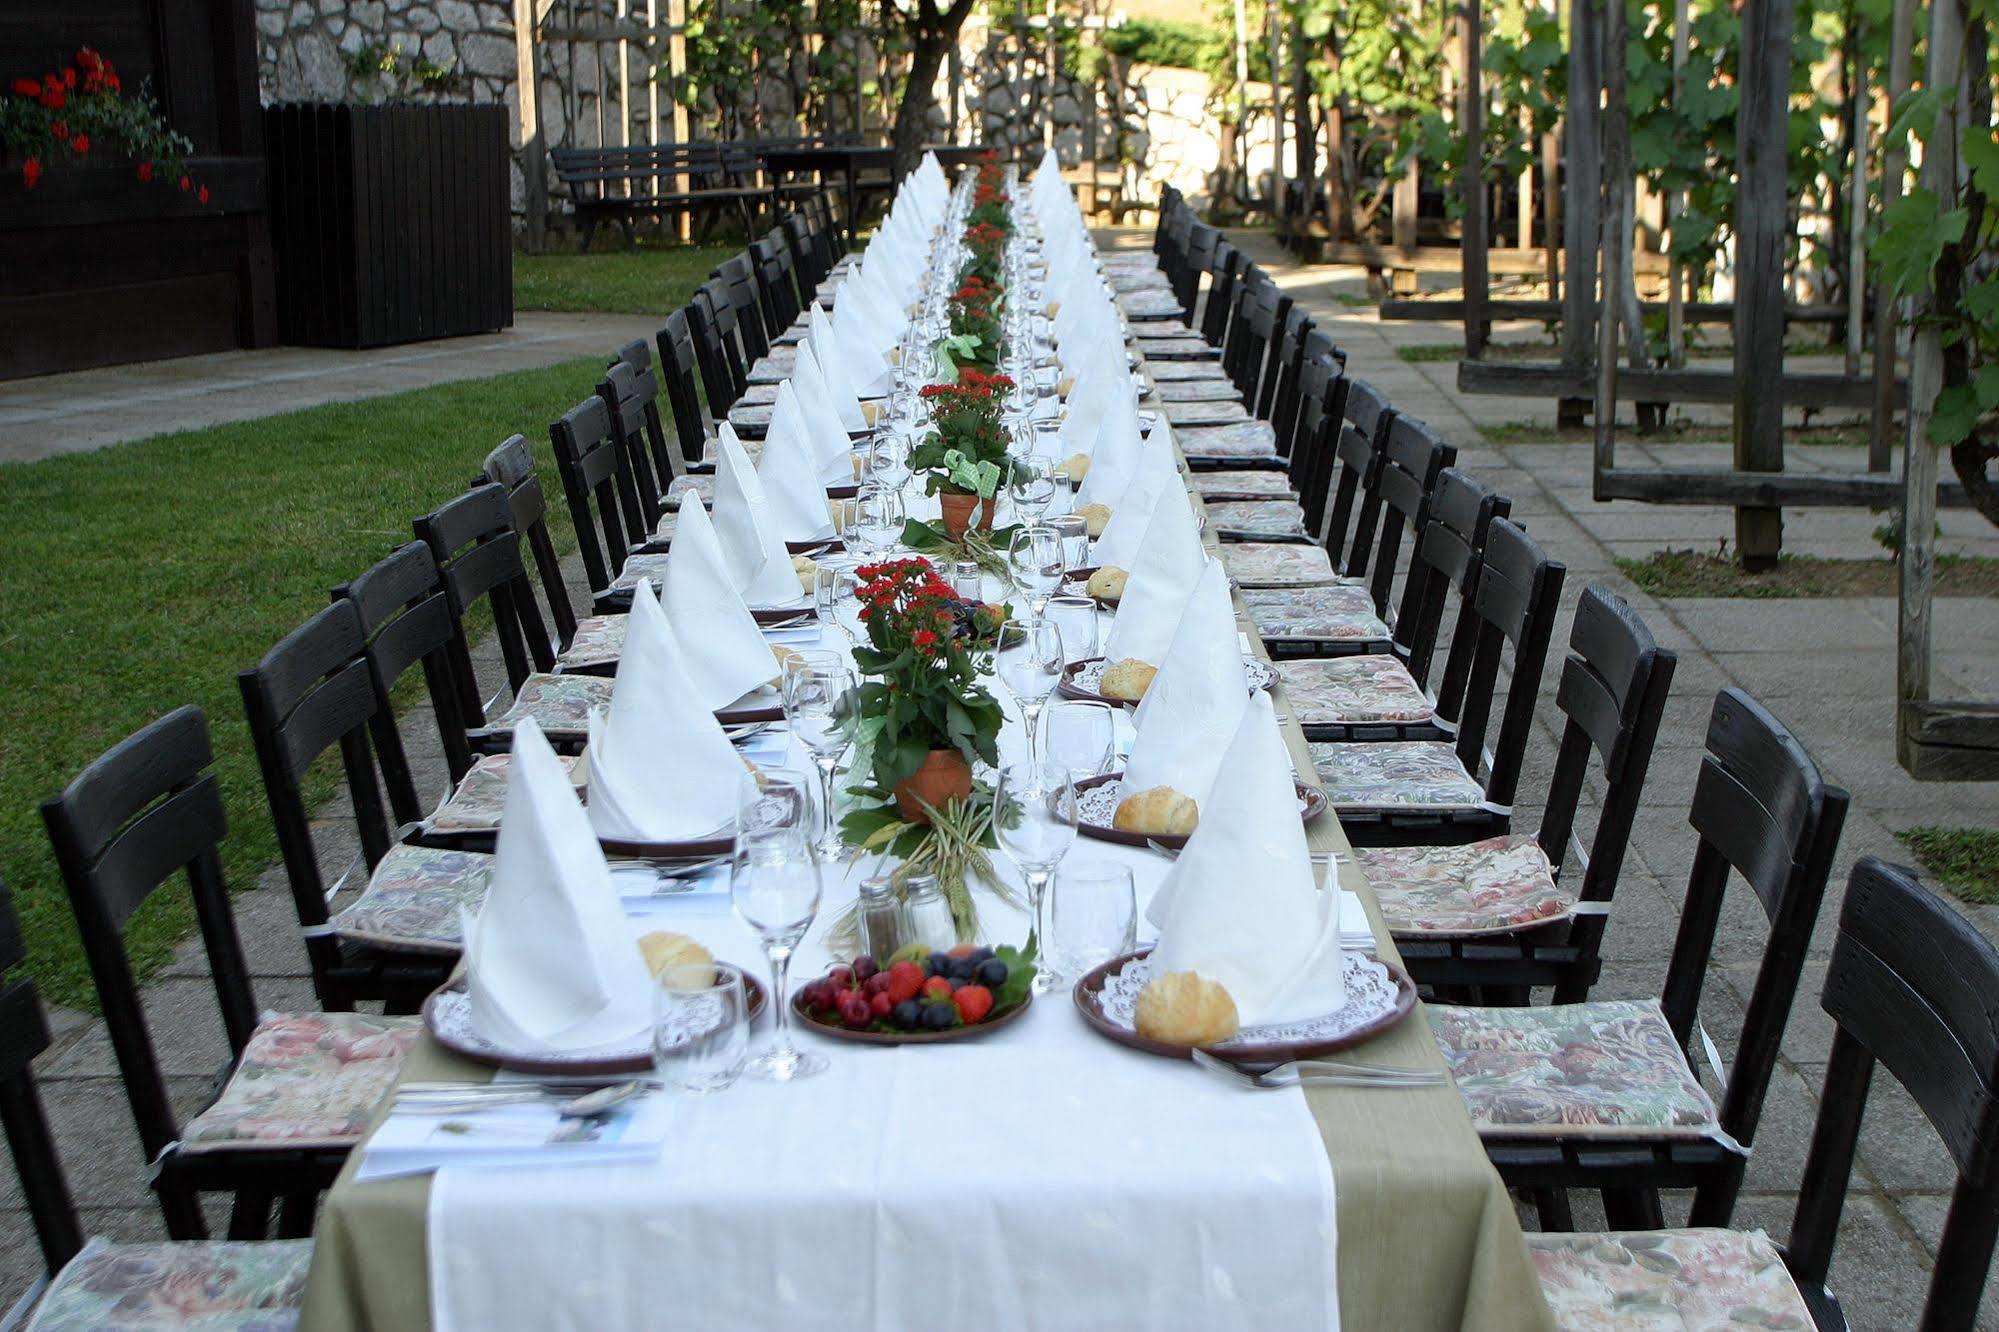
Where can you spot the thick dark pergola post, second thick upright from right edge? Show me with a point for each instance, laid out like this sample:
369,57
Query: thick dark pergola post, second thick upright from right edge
1762,137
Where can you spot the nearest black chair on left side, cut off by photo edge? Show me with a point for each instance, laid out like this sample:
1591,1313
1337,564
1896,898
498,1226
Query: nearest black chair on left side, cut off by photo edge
79,1281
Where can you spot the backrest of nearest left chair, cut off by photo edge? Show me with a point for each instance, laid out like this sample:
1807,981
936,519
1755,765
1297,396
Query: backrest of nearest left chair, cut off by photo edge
23,1037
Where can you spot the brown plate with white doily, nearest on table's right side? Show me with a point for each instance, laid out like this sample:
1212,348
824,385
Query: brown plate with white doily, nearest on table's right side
1380,995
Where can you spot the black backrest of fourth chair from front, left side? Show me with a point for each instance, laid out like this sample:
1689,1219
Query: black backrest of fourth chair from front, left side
407,621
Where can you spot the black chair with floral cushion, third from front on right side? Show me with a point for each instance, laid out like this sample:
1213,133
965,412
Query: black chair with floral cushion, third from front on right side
1498,919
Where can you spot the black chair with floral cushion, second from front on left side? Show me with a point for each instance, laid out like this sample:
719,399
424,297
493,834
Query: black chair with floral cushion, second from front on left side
299,1089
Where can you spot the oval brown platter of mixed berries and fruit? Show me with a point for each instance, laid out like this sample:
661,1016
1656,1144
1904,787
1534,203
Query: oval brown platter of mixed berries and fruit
921,997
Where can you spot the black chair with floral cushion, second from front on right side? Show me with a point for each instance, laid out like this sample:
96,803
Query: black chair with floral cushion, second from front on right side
1642,1121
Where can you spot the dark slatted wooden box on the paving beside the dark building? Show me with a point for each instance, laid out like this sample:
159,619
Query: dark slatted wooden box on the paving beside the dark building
391,223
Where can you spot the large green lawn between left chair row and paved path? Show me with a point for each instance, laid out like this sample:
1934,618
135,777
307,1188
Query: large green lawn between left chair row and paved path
145,577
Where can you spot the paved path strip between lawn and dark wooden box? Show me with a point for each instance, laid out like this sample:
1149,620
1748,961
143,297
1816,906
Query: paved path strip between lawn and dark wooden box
89,409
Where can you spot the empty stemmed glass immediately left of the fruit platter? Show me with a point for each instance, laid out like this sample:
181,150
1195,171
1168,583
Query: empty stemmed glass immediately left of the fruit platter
775,885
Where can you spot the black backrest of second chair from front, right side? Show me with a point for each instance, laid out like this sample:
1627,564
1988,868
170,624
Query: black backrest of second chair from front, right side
1762,811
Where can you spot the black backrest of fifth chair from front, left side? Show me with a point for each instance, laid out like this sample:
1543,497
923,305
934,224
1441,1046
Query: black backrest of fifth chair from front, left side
477,549
